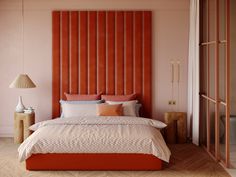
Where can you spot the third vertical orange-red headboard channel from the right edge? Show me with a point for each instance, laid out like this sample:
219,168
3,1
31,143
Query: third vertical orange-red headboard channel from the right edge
128,53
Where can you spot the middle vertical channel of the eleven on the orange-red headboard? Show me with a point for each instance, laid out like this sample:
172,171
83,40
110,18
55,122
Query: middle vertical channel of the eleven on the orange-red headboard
101,52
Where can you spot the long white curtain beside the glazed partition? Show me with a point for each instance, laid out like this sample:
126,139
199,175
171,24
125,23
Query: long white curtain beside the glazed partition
193,73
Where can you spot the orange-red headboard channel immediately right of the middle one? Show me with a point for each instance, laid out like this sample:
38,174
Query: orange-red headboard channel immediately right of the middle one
110,52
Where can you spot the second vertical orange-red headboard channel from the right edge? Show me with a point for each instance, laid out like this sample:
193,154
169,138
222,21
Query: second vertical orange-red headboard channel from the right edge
138,54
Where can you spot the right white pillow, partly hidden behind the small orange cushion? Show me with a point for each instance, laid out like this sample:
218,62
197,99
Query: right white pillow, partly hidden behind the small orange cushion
129,107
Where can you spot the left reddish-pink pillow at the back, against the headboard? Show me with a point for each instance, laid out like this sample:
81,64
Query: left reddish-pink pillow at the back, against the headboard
78,97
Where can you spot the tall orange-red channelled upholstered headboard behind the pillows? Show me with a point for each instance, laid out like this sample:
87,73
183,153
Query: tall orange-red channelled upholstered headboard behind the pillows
102,51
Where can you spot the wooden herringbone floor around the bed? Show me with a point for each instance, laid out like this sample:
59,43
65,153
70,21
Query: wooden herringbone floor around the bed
187,160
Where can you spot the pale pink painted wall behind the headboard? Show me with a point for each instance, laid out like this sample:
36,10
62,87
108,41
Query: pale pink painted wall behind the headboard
170,42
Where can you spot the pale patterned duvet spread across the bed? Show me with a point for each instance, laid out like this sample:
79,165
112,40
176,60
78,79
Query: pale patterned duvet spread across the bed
96,135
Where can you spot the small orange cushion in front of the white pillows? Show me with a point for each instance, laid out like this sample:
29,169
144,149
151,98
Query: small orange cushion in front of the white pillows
109,110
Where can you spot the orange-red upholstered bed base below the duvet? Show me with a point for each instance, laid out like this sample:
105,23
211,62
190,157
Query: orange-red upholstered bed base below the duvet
93,162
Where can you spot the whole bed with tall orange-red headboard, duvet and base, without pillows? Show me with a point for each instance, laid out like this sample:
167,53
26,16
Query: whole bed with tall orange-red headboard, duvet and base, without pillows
95,52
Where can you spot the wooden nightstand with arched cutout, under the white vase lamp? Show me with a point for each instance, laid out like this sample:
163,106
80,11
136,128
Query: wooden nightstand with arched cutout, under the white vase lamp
22,122
